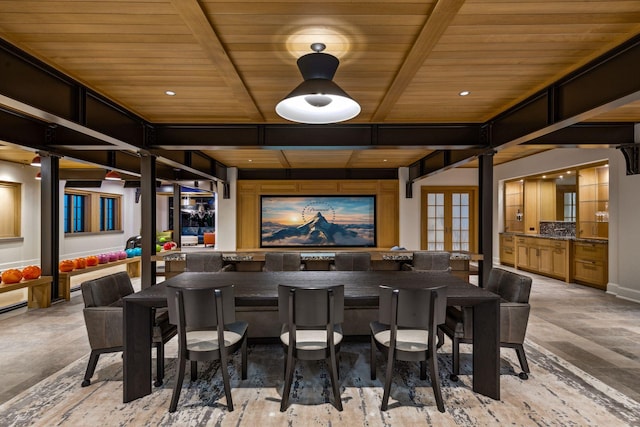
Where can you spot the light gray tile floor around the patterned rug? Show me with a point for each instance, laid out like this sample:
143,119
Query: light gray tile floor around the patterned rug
596,332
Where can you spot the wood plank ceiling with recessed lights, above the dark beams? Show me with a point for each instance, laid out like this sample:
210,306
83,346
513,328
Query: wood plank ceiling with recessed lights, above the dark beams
230,62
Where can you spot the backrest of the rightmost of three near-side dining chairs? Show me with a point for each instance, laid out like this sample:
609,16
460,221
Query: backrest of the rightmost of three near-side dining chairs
415,307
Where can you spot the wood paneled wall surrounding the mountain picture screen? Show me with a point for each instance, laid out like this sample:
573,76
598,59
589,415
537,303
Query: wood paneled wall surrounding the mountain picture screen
248,208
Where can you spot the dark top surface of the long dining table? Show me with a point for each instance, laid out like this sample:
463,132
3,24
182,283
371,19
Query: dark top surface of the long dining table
361,287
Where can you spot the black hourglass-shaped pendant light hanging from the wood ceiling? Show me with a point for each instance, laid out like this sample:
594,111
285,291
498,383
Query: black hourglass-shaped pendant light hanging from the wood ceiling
318,100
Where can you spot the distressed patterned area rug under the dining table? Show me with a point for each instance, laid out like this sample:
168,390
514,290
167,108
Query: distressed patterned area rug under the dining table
556,394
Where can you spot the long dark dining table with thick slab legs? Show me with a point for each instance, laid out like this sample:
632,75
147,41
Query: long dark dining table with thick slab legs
259,290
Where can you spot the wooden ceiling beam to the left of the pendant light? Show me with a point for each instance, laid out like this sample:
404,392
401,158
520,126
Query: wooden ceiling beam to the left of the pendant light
196,19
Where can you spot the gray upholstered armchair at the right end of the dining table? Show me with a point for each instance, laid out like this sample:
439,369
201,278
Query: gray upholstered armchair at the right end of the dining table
514,290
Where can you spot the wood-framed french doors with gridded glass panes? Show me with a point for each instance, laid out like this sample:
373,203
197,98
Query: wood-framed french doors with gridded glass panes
449,220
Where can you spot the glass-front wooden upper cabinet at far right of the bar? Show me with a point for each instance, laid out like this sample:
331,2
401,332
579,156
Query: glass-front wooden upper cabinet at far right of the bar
593,202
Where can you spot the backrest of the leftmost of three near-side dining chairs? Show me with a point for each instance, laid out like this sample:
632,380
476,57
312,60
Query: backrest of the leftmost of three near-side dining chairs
200,306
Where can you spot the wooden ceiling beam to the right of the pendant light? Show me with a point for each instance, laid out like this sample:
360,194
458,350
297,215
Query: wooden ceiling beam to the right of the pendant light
443,13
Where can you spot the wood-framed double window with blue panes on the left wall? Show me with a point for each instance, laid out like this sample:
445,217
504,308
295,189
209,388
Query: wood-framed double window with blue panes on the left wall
86,212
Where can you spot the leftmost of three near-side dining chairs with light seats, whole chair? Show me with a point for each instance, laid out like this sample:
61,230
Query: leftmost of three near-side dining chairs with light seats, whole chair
207,330
